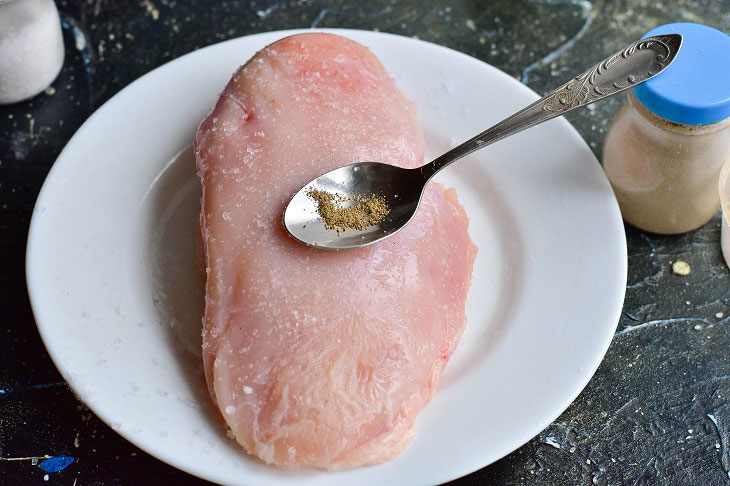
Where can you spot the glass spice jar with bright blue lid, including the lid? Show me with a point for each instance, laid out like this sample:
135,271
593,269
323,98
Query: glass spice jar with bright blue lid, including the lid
665,147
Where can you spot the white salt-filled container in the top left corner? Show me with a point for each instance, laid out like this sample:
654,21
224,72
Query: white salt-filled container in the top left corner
31,48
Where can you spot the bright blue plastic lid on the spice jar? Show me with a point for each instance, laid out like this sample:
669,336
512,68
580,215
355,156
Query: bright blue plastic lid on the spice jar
695,88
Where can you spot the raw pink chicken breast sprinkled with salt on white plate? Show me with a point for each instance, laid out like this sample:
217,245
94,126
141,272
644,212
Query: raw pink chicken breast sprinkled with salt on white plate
318,358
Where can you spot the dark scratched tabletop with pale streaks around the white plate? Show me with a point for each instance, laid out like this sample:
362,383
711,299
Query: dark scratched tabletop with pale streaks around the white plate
656,411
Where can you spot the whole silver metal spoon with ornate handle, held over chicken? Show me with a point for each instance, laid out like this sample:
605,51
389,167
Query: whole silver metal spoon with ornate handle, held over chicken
402,188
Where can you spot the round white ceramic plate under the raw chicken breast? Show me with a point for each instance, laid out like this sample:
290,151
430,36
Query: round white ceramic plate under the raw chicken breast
111,267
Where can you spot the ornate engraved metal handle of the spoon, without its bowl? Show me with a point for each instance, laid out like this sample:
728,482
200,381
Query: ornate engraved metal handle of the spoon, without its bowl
627,68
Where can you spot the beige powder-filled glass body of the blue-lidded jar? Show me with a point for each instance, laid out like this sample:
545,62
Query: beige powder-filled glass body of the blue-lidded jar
664,174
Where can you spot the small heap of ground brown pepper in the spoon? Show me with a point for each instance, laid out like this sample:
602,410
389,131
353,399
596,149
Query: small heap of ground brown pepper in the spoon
341,213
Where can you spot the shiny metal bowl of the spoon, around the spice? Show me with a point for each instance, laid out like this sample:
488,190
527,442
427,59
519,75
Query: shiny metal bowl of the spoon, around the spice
400,188
